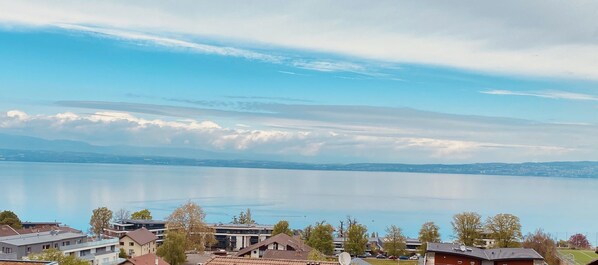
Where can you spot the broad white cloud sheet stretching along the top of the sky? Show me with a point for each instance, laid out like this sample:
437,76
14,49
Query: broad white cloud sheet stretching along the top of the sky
531,38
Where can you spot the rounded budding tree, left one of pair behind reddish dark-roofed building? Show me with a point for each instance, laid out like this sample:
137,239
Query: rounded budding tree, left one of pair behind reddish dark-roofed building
467,226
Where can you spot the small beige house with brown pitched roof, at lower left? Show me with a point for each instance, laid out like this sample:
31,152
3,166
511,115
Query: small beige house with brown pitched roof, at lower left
139,242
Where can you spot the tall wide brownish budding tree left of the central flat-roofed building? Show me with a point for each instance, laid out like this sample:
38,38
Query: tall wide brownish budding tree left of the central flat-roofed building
188,219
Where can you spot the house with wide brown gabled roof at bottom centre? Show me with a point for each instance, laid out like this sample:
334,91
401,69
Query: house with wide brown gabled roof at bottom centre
277,242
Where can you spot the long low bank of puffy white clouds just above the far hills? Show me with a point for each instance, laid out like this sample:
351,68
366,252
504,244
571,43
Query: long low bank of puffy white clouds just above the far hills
370,143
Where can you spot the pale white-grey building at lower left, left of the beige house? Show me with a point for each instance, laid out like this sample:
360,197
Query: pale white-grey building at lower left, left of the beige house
95,251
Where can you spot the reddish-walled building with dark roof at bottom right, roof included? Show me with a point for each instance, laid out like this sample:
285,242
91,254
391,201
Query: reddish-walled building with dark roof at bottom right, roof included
453,254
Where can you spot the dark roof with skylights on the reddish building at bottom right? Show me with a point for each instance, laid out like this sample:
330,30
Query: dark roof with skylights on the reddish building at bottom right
485,254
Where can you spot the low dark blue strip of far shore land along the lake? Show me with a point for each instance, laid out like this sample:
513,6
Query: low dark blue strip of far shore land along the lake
577,169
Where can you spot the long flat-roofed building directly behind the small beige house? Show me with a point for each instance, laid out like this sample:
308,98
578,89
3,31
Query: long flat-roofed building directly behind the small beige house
120,228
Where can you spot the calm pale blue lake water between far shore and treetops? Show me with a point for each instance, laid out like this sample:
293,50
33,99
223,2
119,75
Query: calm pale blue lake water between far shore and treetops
68,193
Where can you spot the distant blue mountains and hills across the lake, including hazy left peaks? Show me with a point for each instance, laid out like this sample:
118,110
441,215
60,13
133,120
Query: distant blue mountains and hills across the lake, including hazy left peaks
31,149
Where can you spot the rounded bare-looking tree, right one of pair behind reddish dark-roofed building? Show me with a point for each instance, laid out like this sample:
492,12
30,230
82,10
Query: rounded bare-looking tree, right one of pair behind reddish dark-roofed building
505,230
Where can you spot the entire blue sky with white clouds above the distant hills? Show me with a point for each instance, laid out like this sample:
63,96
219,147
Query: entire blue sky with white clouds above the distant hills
307,81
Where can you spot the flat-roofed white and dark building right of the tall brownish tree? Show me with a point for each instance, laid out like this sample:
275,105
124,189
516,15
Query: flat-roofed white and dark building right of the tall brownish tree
234,237
